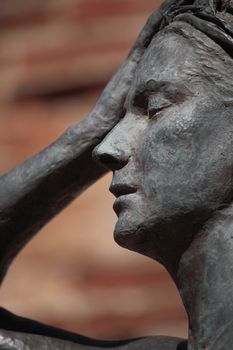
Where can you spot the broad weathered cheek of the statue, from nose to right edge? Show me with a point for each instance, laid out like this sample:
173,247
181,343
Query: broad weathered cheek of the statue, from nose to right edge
187,162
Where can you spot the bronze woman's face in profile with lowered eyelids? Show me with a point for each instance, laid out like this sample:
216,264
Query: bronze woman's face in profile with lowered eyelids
171,155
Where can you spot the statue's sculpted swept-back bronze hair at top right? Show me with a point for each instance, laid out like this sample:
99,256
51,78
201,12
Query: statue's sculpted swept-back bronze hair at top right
208,26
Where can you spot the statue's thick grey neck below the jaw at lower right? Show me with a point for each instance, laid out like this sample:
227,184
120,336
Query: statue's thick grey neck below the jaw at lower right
205,281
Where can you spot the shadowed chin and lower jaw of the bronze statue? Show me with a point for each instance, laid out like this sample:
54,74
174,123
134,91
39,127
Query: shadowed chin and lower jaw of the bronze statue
151,236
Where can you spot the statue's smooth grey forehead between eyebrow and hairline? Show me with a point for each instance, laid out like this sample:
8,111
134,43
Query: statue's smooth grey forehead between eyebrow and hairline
170,57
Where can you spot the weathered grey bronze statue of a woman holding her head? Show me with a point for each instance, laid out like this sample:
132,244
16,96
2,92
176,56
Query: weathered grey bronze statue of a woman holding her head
167,117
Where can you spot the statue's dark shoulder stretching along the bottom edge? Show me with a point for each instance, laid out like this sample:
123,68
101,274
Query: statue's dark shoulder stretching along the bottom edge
18,333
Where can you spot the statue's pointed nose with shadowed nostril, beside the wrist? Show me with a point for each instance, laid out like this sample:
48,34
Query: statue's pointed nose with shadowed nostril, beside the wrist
113,152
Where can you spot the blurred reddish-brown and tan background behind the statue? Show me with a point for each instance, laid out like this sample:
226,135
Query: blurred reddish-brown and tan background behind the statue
55,58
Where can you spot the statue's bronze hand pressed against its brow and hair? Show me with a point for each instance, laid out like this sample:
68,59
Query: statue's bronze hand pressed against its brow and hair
109,108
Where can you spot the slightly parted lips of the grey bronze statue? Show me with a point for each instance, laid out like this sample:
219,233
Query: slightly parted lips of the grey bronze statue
121,191
